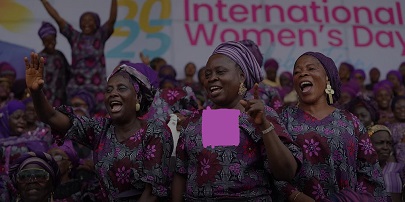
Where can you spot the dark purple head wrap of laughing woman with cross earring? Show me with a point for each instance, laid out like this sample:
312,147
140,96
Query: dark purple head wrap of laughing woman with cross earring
331,72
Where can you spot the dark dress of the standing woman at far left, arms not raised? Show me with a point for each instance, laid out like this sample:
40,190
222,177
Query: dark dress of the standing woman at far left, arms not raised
56,76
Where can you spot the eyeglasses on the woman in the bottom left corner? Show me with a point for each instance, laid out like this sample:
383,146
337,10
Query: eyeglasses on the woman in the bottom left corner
32,175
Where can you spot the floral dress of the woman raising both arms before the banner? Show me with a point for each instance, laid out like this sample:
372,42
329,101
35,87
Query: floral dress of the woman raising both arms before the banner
88,69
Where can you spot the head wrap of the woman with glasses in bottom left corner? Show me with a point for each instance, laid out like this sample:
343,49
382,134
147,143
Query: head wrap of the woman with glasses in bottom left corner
39,158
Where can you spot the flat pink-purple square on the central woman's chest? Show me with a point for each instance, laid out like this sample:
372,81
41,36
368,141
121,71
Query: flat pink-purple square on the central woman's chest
220,127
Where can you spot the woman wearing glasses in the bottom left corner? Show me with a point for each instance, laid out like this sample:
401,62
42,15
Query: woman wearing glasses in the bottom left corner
34,175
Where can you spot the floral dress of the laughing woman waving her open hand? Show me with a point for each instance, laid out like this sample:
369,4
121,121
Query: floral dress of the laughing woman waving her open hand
124,167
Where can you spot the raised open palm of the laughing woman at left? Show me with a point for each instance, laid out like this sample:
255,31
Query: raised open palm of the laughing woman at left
34,69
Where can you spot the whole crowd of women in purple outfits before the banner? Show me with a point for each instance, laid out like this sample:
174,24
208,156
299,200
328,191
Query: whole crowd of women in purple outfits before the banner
317,133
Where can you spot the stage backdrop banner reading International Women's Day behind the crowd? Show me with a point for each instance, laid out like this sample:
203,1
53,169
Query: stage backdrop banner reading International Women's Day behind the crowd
366,33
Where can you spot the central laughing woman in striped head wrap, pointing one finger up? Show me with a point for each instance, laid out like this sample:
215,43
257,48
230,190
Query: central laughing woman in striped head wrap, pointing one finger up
245,171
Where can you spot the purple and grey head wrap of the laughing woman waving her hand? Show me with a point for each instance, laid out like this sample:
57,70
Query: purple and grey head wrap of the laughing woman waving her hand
144,79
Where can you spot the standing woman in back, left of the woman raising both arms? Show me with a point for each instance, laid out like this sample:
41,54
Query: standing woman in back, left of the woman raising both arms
56,66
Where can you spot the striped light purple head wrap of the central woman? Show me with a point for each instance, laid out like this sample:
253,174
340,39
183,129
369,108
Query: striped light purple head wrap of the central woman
246,60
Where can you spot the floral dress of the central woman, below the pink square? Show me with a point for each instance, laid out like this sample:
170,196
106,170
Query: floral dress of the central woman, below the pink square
229,172
